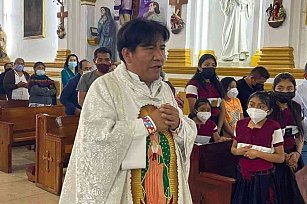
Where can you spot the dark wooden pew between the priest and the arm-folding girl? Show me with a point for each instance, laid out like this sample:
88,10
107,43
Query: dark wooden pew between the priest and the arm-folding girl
212,173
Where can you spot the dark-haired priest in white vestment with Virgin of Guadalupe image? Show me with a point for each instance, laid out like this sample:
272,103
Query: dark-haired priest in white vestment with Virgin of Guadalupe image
133,143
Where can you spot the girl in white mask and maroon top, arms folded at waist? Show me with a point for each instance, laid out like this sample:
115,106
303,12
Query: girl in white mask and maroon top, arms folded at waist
258,142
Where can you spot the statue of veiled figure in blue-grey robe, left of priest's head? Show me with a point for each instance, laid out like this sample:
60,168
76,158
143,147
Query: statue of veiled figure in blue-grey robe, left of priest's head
106,30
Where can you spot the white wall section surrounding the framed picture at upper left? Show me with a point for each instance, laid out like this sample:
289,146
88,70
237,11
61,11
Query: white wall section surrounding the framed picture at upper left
40,49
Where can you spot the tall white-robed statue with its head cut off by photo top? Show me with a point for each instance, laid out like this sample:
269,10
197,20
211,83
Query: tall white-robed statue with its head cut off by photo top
237,14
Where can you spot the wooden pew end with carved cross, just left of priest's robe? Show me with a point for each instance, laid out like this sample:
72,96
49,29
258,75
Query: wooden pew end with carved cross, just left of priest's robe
54,139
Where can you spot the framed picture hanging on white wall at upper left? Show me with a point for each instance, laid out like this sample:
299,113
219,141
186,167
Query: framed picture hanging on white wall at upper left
34,25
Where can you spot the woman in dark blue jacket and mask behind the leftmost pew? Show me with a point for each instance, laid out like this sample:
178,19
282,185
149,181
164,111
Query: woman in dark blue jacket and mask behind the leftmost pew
41,88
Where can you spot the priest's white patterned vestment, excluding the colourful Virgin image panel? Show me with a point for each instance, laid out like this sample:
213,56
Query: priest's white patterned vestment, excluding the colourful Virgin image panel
110,139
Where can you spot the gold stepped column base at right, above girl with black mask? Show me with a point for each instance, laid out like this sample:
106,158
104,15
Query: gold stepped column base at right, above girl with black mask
277,57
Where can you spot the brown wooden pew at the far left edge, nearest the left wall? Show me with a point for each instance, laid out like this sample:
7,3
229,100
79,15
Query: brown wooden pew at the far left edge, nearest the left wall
17,127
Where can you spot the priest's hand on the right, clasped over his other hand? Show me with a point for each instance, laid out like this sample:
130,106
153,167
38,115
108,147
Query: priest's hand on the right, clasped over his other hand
171,116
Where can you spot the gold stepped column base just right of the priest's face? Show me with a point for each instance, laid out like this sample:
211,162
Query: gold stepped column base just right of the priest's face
178,57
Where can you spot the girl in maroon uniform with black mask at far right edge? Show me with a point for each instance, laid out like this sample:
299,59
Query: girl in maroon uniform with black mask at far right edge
288,113
